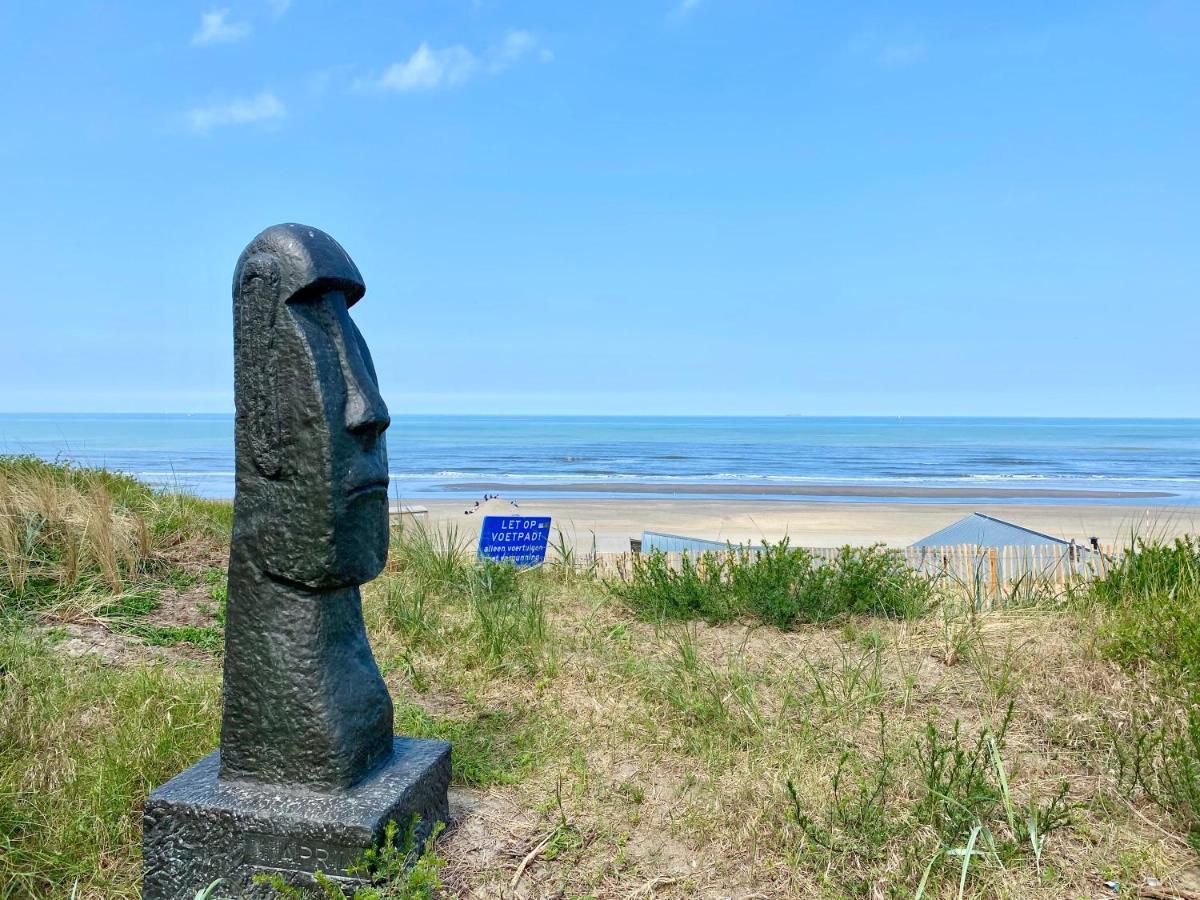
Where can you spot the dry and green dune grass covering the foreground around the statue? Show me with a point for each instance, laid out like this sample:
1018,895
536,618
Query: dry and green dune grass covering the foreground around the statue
781,734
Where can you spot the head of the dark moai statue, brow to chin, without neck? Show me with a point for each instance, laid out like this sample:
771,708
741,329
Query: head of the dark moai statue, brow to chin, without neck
311,502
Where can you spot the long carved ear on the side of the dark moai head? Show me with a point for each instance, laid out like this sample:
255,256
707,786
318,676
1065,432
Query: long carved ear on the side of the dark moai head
256,352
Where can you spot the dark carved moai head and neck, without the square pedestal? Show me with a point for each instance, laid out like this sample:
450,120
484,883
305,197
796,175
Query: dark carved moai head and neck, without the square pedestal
304,703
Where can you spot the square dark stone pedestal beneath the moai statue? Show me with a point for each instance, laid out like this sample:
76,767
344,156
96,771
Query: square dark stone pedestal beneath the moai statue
199,829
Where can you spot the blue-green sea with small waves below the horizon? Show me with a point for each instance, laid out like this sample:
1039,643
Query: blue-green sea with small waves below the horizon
451,457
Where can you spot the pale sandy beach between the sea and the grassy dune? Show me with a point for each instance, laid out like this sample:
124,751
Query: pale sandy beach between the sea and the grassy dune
821,524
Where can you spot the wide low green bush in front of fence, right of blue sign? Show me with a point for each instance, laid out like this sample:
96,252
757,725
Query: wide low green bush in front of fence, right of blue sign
782,585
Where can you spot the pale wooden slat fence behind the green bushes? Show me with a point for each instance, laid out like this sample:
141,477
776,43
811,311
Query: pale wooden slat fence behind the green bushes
982,569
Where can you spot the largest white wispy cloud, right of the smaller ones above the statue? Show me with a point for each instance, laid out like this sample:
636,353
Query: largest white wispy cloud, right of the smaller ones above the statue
430,68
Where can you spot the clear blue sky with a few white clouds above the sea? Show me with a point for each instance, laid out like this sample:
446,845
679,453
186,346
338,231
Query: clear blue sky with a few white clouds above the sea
649,207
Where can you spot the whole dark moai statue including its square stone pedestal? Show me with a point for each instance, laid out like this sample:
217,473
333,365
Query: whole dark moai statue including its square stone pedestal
309,772
